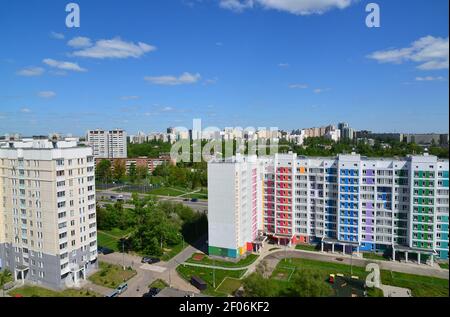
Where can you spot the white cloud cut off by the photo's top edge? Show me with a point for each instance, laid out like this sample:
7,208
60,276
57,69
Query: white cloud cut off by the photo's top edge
298,7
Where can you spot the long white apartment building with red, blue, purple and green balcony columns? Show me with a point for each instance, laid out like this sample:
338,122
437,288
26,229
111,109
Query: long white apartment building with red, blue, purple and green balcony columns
349,202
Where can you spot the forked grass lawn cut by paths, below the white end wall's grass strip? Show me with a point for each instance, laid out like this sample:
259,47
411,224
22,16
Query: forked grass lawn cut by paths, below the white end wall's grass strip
206,274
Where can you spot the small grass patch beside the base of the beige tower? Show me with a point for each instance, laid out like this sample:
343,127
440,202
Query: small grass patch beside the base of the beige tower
111,275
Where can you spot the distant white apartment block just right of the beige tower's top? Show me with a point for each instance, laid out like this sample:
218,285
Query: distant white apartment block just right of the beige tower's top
108,144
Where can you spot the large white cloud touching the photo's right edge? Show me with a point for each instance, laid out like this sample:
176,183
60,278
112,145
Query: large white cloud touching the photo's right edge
431,53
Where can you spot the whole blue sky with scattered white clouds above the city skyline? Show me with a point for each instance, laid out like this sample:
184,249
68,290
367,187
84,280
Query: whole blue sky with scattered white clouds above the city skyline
147,65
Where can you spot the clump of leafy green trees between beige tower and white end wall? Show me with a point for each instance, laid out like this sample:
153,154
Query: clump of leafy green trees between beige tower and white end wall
155,225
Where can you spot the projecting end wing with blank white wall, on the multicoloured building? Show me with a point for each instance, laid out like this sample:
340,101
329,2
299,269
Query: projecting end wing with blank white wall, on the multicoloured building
234,203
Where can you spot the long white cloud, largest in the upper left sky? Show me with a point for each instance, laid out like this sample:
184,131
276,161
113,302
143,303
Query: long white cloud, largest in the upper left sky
115,48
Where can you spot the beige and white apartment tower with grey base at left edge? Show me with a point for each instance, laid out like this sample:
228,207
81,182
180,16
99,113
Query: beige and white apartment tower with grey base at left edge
48,231
